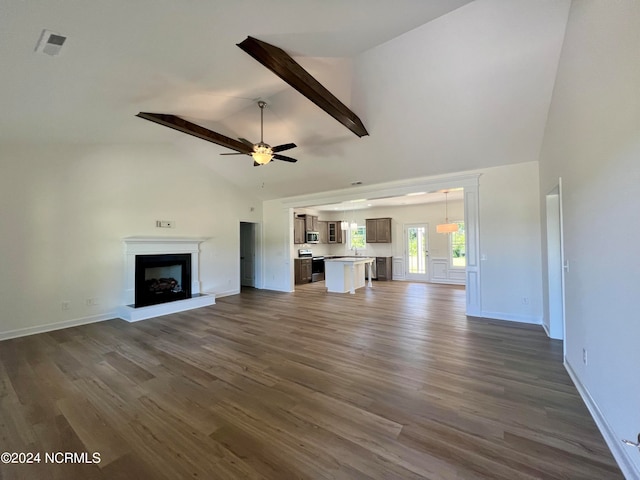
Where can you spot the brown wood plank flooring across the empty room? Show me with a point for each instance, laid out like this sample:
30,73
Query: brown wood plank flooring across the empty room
391,383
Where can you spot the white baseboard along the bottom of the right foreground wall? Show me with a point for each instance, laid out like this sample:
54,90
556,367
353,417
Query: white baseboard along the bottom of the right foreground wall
619,451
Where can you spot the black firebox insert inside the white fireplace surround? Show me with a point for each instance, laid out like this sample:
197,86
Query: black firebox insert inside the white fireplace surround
162,278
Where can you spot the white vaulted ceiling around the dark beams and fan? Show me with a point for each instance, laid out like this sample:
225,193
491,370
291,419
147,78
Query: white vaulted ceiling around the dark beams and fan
441,85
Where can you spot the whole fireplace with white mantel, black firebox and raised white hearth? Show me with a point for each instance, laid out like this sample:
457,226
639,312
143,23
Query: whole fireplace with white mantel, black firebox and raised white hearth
161,276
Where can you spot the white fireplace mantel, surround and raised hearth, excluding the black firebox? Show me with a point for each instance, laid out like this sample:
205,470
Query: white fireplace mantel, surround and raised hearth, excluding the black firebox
158,246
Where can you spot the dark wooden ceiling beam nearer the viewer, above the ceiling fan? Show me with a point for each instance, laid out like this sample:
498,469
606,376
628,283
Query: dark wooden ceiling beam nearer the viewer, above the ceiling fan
285,67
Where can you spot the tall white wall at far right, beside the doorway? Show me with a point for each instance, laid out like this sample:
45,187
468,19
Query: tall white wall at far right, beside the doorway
592,141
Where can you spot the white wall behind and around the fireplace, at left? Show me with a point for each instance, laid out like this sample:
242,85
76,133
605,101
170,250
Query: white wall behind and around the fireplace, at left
65,211
